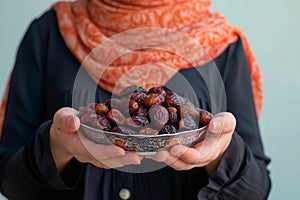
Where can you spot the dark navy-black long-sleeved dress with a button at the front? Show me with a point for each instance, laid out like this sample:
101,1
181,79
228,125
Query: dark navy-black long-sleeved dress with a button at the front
42,82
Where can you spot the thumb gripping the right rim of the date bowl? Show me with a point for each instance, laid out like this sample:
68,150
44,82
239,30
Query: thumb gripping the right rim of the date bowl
222,123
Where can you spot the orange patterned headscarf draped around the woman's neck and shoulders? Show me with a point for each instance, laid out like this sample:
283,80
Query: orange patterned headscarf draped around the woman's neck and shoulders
84,24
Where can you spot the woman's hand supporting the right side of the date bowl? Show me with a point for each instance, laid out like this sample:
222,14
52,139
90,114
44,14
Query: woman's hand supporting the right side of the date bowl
207,153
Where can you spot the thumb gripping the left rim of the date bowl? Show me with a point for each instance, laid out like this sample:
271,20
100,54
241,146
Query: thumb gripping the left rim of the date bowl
66,120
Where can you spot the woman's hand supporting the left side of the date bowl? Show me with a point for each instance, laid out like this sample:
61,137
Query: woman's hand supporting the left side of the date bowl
65,144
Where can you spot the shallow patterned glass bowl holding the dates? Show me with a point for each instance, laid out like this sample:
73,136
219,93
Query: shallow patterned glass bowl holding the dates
143,144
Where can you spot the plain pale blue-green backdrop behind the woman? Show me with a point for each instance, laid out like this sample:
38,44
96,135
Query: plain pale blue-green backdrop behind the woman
272,27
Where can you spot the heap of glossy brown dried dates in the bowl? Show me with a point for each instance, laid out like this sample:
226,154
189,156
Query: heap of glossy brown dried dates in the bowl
151,112
